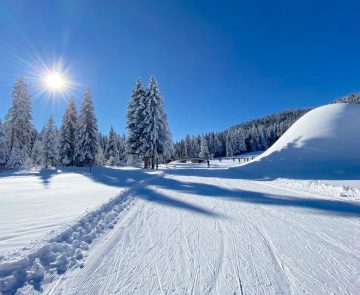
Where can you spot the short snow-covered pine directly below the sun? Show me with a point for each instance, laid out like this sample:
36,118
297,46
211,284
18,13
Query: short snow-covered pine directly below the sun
50,144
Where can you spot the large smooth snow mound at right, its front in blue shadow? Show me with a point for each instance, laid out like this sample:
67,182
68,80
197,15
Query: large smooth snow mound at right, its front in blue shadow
323,144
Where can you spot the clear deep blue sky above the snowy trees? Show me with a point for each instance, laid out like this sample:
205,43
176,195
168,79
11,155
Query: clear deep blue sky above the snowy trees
218,63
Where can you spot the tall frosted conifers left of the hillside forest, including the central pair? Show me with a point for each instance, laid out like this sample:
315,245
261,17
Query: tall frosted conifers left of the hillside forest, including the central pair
78,142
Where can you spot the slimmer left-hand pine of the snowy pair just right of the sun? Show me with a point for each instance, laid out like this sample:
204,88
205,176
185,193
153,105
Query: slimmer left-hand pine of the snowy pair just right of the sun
67,134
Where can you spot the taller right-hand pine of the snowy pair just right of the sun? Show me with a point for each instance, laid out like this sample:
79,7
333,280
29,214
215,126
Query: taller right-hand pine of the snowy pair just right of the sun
86,138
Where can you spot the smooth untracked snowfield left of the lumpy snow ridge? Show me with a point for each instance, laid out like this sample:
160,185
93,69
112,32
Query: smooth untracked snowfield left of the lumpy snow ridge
34,203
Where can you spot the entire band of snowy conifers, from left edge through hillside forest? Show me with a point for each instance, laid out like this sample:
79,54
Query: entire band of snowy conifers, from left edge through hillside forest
79,143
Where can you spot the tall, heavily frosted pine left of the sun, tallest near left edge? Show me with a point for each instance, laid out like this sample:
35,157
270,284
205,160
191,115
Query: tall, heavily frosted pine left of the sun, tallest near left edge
19,127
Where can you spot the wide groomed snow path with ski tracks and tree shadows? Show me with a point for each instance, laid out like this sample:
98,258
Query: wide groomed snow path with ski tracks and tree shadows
199,231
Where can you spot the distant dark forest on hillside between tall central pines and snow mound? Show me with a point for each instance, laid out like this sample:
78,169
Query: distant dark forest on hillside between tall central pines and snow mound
254,135
